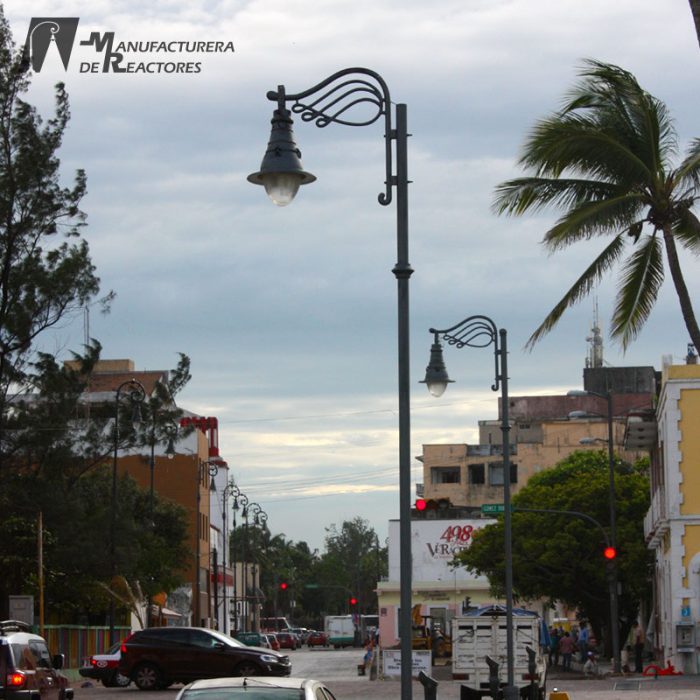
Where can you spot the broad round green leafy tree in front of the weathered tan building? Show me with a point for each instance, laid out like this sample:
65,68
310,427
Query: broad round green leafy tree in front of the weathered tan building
560,556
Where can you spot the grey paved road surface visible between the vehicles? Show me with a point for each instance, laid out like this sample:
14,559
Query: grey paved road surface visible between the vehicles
338,668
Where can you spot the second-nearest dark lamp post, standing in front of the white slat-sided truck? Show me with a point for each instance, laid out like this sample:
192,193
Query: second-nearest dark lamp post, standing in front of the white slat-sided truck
480,332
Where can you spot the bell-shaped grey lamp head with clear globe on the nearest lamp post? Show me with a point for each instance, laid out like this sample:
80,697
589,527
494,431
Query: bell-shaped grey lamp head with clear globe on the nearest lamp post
281,171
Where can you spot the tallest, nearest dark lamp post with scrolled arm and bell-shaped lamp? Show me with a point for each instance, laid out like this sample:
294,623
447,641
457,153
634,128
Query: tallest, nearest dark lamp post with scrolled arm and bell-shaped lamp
281,173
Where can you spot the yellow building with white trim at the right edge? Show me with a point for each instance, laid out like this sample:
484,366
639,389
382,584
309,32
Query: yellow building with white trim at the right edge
672,525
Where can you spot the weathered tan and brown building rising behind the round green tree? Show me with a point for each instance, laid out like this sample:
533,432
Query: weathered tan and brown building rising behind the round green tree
543,430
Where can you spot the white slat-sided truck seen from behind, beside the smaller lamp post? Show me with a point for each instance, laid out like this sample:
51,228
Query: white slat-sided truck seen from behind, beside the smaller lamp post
479,652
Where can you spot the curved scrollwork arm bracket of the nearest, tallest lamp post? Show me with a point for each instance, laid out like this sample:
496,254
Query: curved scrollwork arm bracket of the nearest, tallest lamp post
334,99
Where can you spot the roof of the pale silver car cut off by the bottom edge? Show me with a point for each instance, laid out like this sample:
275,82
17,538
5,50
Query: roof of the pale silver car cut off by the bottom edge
257,688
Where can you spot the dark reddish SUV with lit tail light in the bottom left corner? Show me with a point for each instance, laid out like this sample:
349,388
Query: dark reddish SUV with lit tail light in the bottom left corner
27,671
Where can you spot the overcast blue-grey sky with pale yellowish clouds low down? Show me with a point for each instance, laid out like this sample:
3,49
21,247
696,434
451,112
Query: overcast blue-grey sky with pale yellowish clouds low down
289,314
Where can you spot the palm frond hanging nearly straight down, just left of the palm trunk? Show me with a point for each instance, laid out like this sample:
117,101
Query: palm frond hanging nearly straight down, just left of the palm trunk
642,276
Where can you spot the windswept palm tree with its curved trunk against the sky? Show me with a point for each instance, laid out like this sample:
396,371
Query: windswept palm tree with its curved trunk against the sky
605,160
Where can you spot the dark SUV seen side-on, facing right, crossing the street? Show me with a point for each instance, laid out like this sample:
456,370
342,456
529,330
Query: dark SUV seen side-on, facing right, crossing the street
158,656
